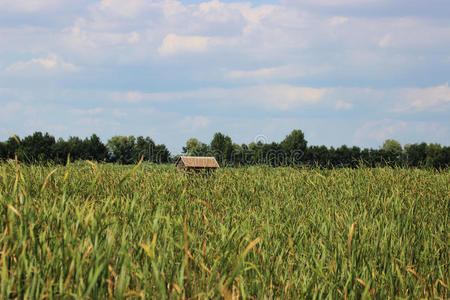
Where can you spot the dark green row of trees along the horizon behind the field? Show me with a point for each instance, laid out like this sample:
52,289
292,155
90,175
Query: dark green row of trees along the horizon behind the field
293,150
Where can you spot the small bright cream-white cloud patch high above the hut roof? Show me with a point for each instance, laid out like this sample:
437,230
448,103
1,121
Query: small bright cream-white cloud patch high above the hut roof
173,44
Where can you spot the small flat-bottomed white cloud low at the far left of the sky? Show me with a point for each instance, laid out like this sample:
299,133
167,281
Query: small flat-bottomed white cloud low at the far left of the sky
52,63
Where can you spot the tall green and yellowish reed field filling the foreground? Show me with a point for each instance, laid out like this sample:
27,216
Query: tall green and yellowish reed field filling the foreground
109,231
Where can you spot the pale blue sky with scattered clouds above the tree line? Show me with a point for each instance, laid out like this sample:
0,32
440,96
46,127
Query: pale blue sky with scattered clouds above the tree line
354,72
